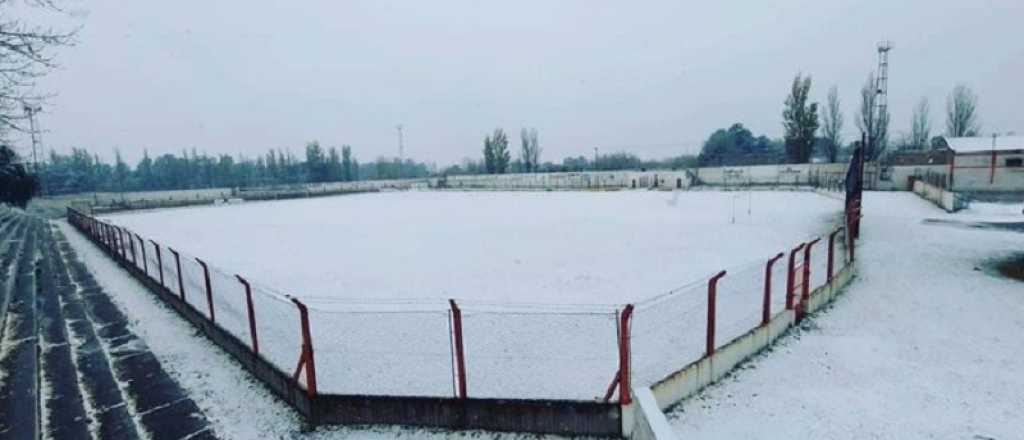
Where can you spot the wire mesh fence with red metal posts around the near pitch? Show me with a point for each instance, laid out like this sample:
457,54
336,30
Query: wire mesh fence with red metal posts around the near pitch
471,349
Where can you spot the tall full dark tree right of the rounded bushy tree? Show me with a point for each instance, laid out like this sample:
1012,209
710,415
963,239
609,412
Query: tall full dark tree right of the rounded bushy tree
800,120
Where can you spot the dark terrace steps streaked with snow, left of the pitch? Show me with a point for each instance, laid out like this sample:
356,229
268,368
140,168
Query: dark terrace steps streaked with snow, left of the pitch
70,366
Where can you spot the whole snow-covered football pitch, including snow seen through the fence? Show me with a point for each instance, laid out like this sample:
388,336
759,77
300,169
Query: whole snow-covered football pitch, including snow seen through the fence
540,276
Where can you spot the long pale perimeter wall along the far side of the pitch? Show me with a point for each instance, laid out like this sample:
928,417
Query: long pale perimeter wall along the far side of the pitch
822,175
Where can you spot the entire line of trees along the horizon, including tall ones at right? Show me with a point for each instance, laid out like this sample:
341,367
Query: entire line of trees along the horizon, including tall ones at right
82,171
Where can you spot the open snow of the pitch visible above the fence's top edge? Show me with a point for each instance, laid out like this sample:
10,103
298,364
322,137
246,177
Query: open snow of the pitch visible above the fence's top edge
593,248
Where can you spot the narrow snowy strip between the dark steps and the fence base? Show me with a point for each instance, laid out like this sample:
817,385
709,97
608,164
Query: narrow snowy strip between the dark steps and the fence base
239,408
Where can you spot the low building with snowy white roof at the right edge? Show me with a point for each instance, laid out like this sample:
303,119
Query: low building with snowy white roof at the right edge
985,164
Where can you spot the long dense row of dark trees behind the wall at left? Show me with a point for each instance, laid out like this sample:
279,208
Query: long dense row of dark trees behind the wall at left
82,171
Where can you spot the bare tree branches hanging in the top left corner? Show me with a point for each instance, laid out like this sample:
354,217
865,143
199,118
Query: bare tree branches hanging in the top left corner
25,57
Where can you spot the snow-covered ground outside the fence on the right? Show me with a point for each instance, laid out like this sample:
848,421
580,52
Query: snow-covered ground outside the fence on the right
927,343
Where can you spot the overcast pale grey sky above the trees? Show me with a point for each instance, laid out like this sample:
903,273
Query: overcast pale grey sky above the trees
655,78
